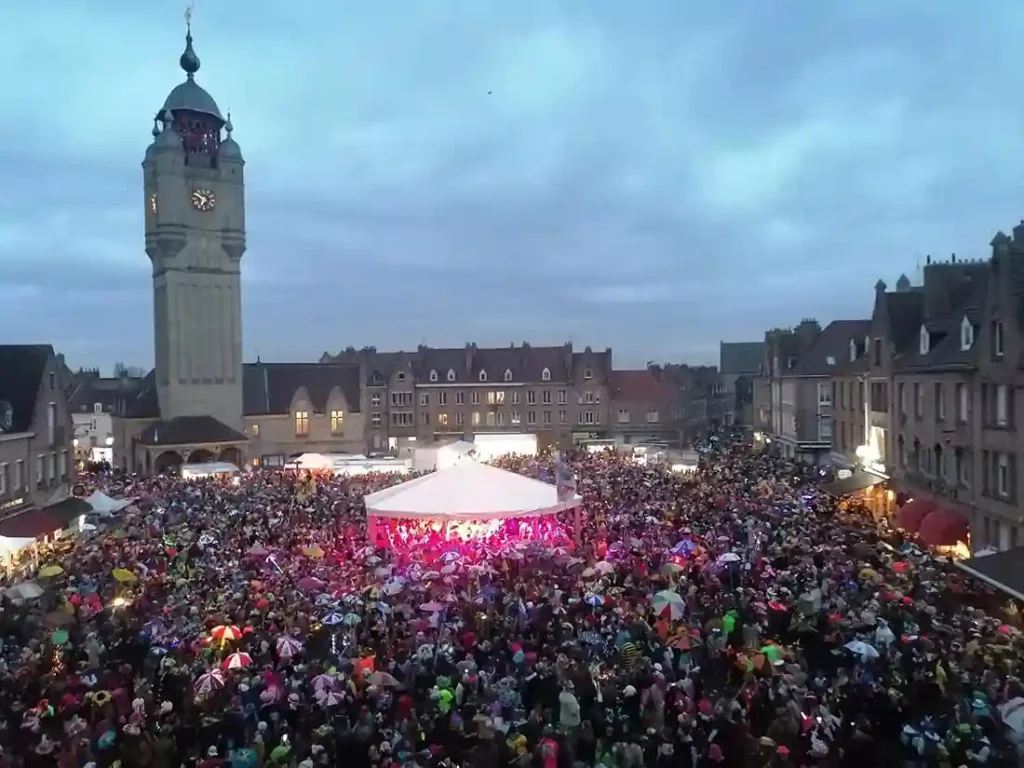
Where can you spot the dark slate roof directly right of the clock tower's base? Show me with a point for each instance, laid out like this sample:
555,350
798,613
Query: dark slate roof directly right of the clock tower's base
270,388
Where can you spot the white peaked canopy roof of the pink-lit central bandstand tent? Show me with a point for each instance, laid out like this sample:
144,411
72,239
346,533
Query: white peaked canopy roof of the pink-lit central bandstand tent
468,491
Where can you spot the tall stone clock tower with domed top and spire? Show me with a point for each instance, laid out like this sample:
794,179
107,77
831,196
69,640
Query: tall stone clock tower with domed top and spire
194,193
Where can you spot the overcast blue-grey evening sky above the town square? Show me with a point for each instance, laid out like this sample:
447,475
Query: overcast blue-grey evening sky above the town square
655,177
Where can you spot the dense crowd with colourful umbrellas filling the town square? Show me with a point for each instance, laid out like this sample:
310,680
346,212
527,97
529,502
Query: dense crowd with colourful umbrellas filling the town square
735,617
